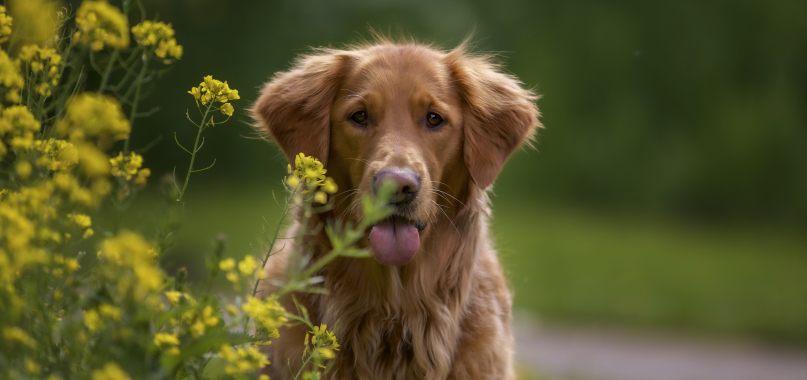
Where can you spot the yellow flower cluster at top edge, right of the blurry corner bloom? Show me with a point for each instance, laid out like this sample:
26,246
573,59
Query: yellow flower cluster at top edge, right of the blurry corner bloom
101,24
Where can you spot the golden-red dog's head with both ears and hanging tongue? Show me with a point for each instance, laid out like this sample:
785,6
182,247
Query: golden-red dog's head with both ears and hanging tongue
434,123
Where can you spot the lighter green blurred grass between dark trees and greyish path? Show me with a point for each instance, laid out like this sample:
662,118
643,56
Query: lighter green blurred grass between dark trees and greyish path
570,266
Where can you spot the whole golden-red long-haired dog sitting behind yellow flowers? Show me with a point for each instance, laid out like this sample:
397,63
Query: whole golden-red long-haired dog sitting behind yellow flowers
433,303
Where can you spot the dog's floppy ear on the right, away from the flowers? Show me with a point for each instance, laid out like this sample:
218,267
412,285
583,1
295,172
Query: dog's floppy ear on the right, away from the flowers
499,114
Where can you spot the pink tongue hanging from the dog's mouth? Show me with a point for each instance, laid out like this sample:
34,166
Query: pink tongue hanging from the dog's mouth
394,242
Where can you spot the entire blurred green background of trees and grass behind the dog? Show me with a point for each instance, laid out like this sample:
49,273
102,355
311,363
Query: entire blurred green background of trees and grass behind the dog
668,190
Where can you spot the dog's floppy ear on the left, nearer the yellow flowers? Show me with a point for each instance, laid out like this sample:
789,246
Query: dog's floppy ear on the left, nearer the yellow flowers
294,107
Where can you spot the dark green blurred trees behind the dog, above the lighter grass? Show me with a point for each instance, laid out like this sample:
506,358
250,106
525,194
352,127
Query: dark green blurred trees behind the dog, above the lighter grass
680,108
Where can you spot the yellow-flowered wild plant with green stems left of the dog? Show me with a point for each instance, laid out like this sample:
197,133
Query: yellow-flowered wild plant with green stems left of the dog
81,298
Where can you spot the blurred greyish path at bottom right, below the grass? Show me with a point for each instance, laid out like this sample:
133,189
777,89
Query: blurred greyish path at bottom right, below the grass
595,355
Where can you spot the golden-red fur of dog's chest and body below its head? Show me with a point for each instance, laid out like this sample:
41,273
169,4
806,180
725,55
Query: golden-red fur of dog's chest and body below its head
449,319
